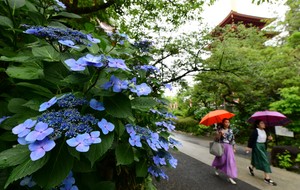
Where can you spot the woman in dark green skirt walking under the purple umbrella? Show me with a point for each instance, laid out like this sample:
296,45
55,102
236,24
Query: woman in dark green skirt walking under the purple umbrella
259,158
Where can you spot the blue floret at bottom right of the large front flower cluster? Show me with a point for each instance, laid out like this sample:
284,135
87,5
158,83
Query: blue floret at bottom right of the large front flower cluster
82,142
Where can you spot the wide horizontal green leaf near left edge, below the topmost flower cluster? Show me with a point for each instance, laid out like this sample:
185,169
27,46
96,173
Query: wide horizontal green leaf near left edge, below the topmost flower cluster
27,72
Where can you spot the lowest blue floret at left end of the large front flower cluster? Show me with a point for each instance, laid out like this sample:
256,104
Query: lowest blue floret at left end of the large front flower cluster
39,148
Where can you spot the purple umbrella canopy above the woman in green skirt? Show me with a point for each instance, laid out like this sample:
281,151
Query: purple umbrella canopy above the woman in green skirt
270,118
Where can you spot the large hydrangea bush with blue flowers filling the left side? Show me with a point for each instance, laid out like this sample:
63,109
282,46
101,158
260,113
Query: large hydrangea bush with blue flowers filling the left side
79,109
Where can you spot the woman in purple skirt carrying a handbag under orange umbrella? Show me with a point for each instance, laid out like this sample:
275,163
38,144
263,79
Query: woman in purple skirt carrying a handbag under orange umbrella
226,163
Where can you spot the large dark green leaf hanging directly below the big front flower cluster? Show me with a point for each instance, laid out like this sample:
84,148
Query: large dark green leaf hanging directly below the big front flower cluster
57,169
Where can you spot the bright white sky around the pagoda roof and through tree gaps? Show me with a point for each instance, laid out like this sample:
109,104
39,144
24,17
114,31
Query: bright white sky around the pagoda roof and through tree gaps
214,14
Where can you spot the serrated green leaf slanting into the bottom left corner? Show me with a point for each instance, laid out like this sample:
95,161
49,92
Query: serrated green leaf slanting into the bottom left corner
26,168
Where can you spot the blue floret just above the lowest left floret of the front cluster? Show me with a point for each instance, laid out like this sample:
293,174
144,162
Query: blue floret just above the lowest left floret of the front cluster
40,132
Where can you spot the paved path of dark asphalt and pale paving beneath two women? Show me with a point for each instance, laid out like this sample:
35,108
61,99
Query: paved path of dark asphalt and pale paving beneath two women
191,174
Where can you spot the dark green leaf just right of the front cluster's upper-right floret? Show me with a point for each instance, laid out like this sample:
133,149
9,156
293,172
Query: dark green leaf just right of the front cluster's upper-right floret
118,106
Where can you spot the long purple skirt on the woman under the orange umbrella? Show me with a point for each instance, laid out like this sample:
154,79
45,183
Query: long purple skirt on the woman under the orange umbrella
226,163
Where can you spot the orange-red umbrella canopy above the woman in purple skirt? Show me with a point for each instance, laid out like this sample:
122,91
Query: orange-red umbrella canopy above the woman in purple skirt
215,117
